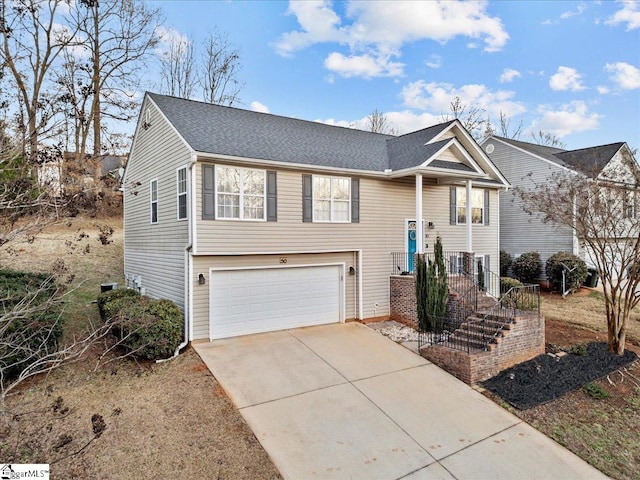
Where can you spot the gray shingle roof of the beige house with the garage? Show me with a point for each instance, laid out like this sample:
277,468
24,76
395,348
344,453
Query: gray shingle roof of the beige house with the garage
220,130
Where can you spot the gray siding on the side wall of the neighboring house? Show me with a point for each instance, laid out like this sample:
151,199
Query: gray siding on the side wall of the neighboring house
519,231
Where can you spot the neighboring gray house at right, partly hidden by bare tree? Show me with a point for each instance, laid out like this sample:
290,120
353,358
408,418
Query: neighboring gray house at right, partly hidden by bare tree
524,164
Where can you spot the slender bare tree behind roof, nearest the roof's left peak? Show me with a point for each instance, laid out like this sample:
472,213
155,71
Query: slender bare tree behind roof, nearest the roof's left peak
177,68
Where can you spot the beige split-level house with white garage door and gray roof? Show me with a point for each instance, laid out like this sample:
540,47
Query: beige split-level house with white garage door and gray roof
253,222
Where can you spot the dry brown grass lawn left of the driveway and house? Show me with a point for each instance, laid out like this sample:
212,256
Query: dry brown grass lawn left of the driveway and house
160,420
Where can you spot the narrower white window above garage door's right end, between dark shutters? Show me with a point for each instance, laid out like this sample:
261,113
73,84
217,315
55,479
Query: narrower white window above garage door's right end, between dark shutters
331,199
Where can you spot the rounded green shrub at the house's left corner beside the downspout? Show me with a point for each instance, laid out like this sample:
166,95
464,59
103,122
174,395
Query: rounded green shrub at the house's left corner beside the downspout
149,329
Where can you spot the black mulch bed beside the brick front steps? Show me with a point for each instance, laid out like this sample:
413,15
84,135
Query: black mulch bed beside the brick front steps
546,378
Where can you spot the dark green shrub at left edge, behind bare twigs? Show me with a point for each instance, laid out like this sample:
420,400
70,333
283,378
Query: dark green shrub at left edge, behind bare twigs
36,332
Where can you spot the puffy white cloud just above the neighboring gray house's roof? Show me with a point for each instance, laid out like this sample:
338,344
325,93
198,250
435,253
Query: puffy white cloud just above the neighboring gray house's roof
571,118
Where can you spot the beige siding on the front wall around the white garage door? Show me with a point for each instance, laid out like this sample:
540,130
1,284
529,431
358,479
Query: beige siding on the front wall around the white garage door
385,205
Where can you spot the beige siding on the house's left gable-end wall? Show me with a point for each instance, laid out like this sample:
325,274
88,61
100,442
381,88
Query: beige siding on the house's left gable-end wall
155,251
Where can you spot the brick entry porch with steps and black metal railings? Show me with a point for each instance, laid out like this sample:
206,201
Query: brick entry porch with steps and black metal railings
486,328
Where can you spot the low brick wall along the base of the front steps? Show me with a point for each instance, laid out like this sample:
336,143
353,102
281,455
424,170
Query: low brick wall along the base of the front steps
523,342
